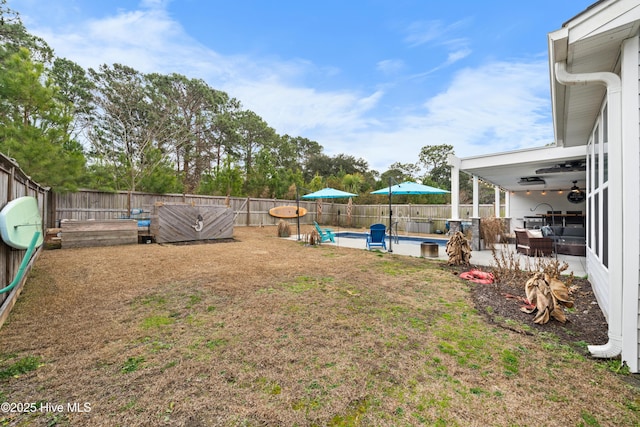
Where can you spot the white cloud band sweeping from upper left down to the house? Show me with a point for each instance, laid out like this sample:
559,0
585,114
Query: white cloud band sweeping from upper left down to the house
499,106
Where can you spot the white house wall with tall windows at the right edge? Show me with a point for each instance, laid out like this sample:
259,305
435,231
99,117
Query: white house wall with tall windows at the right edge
604,274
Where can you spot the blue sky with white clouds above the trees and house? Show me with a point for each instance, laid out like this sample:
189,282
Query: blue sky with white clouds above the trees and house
374,79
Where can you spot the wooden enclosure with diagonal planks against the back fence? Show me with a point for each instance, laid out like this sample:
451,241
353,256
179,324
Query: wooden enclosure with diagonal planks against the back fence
177,222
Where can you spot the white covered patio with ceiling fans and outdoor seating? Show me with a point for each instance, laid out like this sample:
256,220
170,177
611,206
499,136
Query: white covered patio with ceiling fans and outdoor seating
541,186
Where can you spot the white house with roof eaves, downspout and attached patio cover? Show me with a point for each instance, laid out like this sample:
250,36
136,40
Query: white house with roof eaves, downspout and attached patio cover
594,62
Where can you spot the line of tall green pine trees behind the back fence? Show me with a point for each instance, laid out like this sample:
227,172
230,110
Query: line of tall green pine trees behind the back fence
114,128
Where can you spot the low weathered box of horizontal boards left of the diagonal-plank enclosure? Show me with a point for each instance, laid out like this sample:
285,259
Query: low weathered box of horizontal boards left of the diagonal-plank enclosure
84,234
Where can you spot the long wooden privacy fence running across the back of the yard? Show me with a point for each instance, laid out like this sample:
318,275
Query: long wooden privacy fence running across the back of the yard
89,204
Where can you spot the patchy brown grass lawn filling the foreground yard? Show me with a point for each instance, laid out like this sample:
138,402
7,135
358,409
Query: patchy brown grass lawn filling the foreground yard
266,331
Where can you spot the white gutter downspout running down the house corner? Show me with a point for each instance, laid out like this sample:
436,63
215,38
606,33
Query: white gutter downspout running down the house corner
613,84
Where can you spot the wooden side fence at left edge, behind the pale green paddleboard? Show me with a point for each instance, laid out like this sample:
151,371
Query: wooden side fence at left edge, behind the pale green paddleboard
15,183
